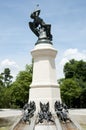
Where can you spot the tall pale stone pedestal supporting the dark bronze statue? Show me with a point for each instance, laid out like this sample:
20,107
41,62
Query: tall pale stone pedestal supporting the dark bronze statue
44,87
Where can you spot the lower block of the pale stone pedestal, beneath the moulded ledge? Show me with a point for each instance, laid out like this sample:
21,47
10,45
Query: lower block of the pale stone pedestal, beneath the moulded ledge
44,95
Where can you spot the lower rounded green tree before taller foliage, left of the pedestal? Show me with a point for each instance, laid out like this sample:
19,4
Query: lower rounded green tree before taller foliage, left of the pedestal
18,95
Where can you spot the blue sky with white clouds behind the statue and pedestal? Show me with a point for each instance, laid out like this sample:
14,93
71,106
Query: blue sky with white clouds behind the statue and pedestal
68,27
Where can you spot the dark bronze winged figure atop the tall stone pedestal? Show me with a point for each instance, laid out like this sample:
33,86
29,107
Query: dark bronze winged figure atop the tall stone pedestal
38,24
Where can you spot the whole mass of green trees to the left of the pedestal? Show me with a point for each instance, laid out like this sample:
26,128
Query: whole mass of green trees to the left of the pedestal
16,94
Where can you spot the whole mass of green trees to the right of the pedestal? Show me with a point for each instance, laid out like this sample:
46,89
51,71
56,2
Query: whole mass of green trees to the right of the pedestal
73,86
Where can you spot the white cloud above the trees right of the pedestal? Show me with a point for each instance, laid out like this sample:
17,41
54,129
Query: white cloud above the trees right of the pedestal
68,55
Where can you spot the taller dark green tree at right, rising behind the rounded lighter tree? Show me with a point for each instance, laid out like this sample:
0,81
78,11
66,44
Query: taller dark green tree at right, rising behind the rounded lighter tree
75,69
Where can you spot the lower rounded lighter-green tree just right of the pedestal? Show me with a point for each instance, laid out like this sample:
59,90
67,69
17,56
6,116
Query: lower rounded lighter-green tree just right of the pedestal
70,92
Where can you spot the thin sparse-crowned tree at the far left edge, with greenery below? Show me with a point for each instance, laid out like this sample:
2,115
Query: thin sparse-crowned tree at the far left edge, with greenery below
5,80
